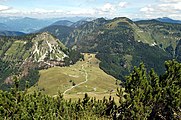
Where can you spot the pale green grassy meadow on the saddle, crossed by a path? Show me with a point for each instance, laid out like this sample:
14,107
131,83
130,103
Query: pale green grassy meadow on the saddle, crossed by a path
58,78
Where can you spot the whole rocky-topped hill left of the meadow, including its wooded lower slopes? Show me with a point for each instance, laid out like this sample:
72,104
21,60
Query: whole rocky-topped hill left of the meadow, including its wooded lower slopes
24,56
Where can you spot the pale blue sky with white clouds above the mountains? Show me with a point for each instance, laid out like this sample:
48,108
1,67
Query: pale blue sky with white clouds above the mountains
143,9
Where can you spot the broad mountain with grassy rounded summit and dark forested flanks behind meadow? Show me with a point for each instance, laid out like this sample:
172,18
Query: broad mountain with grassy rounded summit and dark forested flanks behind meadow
120,44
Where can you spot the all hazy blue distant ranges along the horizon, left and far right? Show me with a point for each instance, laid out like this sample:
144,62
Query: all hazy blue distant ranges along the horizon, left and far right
29,25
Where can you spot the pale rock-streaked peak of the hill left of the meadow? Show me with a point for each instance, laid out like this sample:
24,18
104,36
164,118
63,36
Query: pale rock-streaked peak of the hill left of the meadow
47,46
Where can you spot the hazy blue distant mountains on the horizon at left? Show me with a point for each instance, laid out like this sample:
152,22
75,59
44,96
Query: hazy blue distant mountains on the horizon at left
29,25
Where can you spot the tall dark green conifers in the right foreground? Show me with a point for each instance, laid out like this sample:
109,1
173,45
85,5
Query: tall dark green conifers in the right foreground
149,96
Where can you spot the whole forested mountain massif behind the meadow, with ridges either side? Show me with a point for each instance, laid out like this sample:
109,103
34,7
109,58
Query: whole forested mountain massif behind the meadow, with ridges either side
124,42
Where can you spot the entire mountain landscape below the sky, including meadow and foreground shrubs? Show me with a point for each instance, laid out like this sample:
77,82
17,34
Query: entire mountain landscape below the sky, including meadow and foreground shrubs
85,68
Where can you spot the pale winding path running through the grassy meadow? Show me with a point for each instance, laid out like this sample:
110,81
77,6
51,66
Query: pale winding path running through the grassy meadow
86,80
